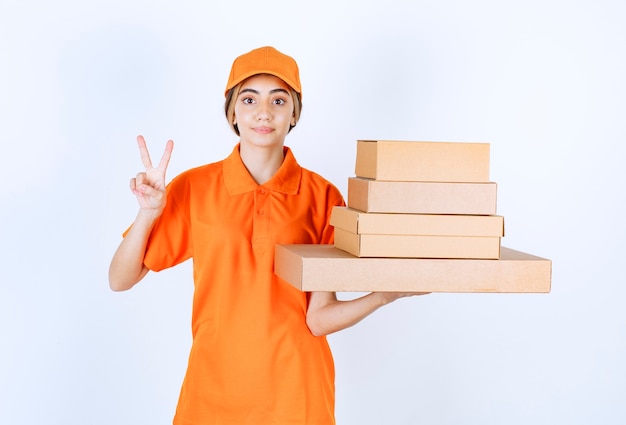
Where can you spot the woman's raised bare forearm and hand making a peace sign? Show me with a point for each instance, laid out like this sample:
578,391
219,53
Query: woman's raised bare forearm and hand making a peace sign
127,266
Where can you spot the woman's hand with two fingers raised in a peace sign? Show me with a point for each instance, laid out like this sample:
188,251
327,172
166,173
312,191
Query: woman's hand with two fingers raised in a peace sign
149,185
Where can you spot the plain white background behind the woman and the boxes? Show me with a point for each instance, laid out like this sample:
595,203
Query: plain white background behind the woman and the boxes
542,81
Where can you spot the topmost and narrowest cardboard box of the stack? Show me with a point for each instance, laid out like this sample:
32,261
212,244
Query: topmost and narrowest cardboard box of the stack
395,160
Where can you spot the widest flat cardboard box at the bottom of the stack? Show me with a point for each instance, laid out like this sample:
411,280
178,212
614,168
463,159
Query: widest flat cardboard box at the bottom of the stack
327,268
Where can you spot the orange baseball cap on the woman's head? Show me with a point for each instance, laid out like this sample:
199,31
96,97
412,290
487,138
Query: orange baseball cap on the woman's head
265,60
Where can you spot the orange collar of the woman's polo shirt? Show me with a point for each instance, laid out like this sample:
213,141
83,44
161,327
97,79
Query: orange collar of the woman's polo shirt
238,180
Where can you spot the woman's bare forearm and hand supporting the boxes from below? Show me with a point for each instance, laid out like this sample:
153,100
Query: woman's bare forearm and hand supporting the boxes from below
326,314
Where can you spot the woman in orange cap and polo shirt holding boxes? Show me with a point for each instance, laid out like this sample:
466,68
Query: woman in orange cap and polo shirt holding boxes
259,353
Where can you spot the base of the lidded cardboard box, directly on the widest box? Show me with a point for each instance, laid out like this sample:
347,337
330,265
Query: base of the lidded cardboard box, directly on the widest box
418,246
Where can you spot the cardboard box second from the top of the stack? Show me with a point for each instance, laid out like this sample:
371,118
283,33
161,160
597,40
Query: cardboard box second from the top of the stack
422,197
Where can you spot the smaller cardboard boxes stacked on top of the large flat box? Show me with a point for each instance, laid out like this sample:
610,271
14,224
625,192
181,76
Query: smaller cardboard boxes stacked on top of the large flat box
420,200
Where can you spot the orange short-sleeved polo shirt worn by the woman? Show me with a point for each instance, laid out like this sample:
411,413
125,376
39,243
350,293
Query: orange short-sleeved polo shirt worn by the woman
253,359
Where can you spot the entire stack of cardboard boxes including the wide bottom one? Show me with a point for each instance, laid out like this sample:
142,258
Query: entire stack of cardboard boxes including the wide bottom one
421,217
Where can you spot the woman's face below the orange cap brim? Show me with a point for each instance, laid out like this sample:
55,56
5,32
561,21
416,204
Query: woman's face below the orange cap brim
264,110
